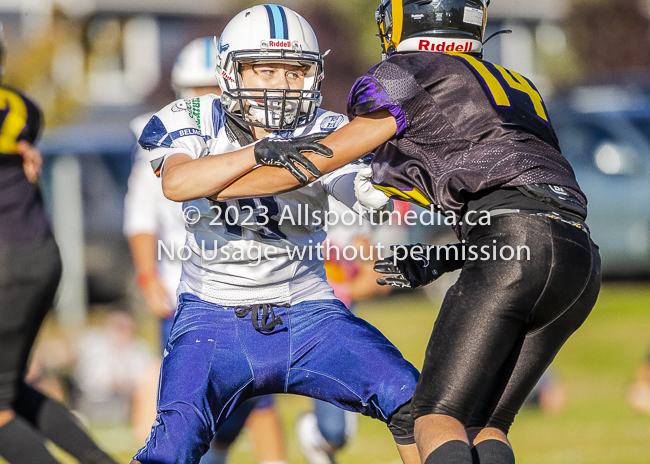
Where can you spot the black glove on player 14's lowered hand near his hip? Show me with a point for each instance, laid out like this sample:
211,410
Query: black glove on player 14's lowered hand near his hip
415,267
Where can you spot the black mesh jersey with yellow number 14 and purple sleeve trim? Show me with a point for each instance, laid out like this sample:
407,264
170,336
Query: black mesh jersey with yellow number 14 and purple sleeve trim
463,126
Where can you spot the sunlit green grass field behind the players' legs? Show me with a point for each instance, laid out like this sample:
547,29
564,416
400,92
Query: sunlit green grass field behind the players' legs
596,366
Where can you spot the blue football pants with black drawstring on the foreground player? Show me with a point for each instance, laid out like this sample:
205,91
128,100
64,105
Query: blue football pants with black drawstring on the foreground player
215,360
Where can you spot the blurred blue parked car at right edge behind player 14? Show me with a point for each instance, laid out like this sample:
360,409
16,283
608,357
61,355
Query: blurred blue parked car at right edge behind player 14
604,132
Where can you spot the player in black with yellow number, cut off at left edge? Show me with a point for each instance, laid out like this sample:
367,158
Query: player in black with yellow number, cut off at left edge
30,268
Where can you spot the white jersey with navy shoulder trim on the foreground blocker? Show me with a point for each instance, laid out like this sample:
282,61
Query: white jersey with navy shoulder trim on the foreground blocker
248,251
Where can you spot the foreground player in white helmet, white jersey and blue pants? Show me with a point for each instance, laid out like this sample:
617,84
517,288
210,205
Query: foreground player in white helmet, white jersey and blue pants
255,313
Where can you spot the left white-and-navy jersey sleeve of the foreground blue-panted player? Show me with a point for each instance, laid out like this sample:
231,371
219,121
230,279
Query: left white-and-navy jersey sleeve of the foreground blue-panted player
174,129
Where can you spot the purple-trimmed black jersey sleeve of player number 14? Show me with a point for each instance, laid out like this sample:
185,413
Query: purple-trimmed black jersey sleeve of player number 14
378,89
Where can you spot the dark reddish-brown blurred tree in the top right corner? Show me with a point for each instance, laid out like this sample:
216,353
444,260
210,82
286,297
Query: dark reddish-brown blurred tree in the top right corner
610,36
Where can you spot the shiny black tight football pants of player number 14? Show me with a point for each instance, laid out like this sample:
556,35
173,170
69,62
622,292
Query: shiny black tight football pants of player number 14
504,320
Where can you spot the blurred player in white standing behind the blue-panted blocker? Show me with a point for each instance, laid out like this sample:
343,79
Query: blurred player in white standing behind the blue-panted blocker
149,217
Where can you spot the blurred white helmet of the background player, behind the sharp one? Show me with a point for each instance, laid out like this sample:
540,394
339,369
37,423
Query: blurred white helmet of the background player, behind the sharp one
195,66
